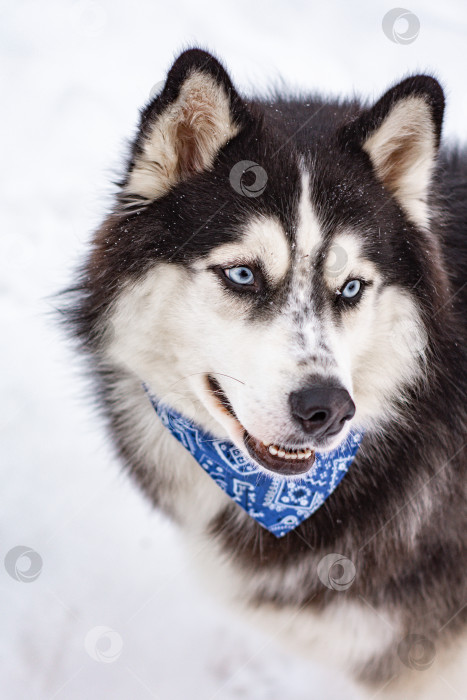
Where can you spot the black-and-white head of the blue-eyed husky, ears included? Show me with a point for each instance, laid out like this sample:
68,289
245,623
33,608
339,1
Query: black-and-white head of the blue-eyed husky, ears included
265,269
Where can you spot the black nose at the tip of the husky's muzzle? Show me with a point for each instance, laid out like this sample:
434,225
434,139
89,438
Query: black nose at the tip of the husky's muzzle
322,410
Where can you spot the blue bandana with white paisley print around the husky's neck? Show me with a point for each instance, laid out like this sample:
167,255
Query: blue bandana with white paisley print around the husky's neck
279,504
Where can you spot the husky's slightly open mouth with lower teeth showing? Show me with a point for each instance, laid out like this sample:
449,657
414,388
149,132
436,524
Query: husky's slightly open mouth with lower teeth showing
274,457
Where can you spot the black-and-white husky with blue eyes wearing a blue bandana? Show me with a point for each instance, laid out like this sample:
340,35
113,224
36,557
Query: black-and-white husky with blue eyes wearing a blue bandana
279,278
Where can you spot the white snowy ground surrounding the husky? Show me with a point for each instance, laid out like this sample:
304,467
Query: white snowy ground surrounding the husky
73,75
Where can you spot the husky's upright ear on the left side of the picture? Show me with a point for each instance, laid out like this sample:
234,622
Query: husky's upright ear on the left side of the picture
184,127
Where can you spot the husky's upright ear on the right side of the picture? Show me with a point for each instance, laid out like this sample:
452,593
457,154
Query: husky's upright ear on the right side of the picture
401,135
